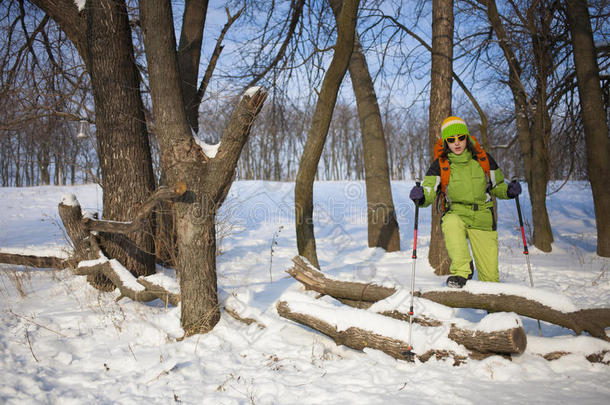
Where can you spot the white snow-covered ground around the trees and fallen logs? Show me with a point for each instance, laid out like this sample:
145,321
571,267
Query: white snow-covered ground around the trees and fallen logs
63,342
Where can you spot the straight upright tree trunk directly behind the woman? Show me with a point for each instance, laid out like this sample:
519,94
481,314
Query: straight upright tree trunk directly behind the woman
440,108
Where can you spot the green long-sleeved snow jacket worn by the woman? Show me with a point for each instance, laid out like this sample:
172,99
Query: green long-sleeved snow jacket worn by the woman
469,191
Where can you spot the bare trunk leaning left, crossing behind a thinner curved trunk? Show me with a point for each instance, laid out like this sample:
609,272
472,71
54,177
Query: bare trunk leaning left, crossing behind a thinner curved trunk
382,225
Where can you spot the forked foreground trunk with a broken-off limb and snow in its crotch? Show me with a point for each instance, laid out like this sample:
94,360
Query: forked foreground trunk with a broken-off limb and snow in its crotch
207,178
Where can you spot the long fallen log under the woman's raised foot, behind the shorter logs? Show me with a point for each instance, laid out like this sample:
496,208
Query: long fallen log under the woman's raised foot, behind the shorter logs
593,321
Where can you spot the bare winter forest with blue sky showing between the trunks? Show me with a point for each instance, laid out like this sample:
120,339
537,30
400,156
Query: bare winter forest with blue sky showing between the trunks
165,104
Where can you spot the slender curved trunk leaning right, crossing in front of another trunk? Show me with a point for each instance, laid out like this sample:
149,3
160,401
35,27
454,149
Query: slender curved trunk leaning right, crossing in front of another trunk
308,164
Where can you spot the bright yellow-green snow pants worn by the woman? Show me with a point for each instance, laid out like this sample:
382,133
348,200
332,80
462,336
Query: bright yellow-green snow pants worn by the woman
484,245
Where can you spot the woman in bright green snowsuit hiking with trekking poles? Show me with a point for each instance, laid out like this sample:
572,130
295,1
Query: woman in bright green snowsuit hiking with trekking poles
474,177
